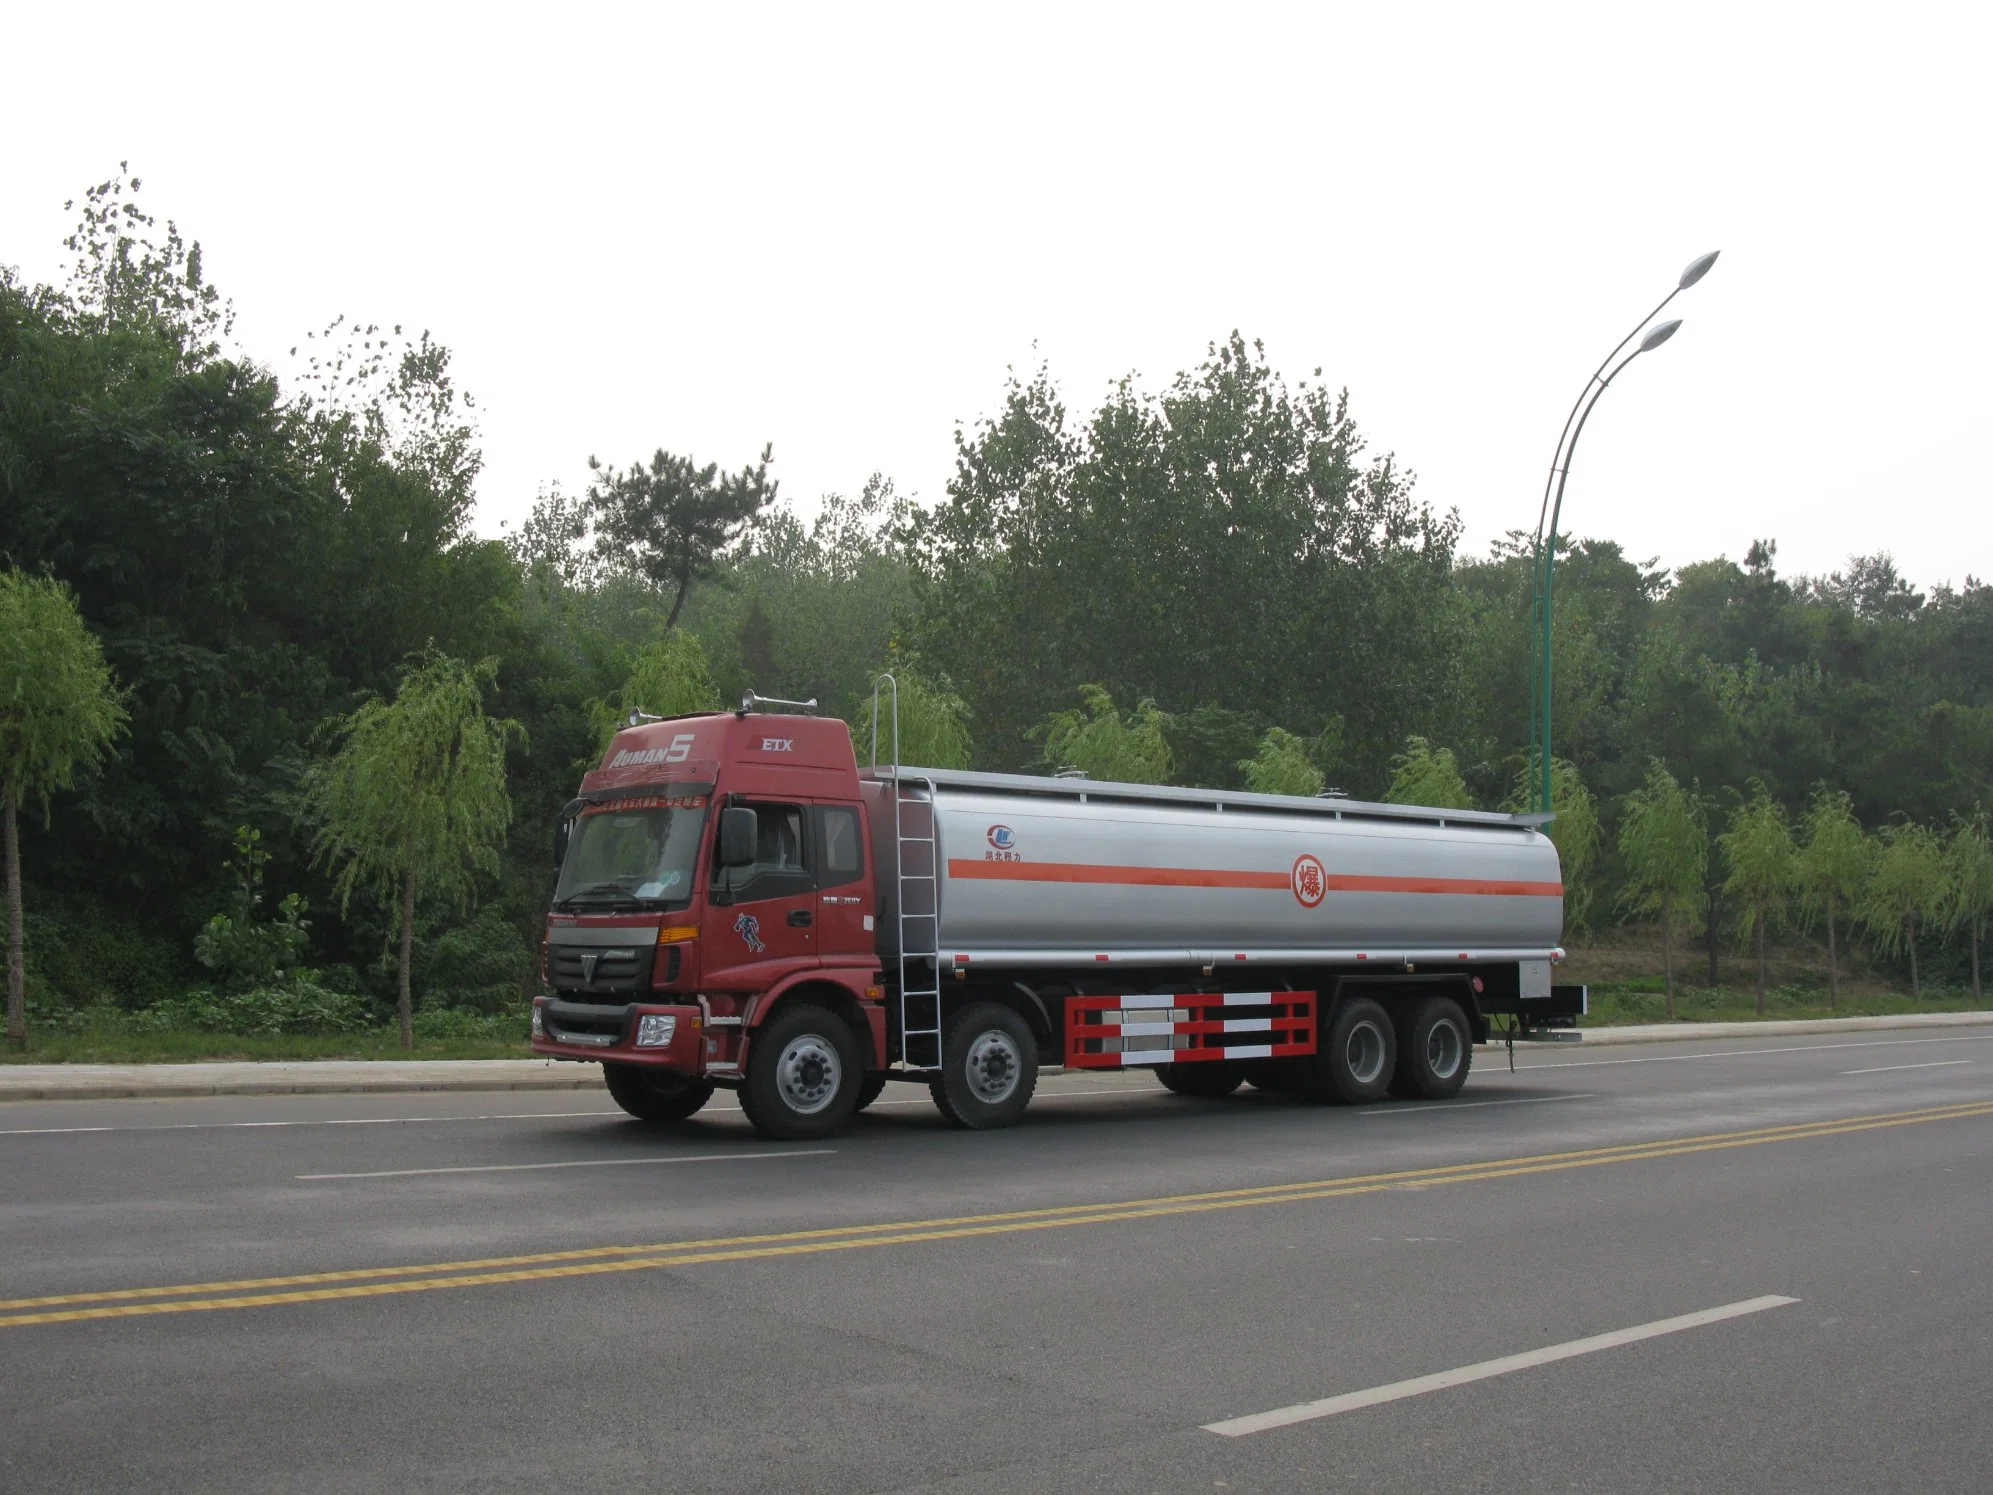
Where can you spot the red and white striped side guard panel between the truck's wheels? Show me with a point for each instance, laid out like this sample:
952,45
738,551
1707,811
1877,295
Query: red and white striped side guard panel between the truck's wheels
1185,1028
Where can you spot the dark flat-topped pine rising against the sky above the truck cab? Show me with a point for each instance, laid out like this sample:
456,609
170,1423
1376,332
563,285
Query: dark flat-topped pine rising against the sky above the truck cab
673,521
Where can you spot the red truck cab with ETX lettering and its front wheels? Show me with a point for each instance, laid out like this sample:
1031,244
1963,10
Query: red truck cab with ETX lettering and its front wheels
714,886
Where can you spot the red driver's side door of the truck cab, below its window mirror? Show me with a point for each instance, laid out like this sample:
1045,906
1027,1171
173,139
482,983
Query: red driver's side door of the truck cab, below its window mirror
762,920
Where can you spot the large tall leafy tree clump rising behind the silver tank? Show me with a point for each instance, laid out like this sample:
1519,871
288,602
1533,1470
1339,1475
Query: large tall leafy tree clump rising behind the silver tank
1225,543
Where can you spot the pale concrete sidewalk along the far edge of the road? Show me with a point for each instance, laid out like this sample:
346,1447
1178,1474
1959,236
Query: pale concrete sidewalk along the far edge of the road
388,1077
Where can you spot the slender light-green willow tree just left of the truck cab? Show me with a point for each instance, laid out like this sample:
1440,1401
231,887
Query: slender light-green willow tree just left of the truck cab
416,800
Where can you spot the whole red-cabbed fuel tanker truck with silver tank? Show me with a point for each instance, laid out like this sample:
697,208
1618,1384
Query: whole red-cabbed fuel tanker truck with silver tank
742,908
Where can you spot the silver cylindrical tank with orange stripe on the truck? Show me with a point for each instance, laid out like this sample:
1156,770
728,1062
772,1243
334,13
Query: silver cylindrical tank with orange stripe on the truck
1059,872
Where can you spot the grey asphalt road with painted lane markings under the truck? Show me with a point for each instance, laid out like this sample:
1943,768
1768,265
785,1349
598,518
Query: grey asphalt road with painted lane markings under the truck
531,1293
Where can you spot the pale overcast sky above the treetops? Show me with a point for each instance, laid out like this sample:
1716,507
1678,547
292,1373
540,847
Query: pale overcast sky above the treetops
836,230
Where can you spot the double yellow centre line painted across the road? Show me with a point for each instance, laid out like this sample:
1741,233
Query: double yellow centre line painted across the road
597,1261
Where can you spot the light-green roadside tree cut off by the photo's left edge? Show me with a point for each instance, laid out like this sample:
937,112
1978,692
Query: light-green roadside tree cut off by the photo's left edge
59,713
